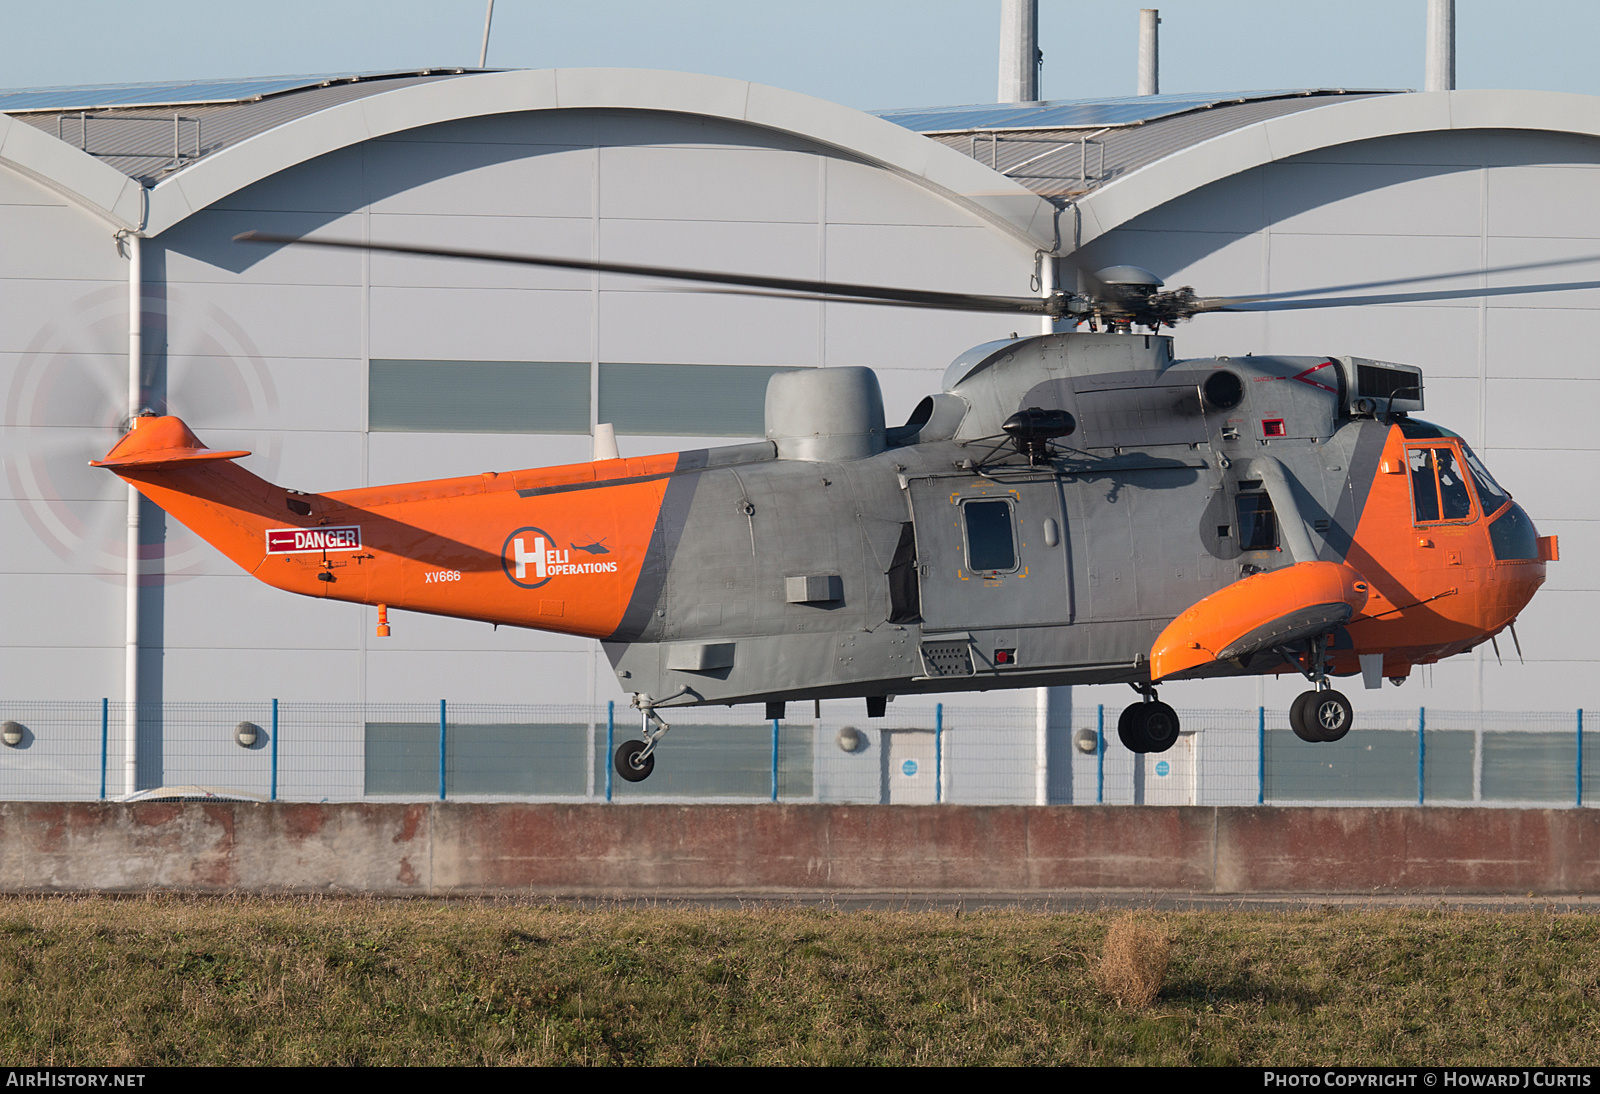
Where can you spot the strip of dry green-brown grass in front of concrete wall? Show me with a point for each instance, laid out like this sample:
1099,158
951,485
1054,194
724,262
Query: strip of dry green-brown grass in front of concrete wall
166,980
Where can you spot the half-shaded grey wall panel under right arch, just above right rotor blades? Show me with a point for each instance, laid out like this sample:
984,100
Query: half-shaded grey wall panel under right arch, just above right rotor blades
1374,199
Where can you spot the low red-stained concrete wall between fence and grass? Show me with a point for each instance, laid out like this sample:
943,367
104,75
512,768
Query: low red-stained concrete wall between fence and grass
590,850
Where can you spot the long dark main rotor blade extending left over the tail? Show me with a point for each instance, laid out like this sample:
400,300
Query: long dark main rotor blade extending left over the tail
822,290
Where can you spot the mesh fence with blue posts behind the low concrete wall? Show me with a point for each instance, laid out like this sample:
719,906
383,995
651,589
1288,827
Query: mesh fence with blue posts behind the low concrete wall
916,754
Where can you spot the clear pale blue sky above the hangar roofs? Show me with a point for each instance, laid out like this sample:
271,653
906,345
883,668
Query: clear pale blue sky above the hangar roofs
863,54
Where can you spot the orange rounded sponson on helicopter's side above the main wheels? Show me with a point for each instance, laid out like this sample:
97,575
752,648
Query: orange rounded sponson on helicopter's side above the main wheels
1258,613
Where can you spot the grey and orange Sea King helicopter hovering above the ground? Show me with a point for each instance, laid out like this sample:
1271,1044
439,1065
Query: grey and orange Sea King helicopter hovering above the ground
1070,509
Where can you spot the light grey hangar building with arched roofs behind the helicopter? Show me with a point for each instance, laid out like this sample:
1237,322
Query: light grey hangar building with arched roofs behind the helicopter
342,370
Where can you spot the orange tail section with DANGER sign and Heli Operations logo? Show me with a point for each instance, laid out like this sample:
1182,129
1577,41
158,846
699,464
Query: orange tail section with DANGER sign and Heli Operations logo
556,549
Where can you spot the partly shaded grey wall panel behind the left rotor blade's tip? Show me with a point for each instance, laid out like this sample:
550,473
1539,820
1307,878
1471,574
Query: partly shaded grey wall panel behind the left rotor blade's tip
202,249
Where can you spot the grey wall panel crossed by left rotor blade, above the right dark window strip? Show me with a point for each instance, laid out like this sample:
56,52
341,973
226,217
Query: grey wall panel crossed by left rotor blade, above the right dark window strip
764,249
